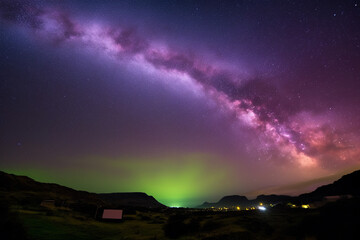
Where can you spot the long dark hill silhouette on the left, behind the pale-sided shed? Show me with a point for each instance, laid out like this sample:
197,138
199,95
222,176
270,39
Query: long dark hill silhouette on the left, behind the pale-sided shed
24,190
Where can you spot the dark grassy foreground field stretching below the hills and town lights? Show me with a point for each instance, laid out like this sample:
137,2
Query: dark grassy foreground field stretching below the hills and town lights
334,221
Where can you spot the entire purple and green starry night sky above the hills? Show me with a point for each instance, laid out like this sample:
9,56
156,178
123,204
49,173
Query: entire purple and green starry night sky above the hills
187,101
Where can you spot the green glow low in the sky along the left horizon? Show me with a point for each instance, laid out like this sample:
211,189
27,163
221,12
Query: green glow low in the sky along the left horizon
177,181
